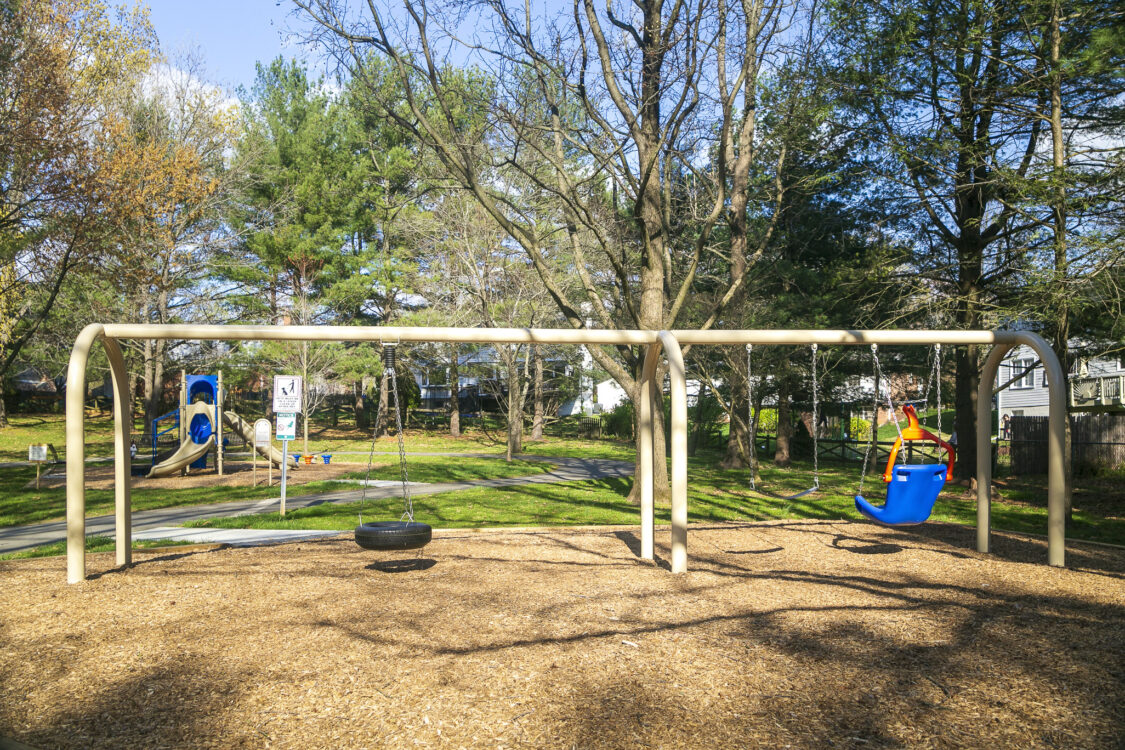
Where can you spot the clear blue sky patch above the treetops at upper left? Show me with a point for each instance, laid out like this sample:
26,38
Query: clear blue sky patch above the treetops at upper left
232,35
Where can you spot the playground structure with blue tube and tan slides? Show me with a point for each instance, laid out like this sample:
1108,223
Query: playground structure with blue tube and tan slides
200,421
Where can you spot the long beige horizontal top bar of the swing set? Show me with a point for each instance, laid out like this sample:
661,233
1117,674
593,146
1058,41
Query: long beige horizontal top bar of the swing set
555,336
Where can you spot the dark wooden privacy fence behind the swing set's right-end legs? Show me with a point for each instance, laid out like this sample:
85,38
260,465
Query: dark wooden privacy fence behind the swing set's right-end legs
1097,444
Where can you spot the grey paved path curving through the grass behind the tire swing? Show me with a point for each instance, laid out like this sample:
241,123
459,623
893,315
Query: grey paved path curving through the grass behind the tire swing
14,539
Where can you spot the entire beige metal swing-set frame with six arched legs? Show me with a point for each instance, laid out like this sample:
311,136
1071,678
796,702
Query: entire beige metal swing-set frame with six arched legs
669,341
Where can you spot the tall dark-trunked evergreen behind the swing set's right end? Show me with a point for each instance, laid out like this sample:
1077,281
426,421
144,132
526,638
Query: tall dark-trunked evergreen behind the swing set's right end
940,89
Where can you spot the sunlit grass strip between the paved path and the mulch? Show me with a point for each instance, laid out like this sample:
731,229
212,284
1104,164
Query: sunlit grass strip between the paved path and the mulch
714,495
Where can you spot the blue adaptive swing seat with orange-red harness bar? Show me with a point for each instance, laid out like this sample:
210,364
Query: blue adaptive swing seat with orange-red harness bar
912,490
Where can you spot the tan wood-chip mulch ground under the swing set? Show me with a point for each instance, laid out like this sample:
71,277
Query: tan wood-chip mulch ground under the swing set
809,635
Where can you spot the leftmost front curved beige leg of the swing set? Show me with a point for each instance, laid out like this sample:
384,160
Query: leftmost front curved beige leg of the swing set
76,453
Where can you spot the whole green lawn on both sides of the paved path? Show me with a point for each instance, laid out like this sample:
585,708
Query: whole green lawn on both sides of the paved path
714,494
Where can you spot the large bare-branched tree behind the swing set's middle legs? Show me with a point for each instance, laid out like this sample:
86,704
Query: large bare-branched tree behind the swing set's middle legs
587,143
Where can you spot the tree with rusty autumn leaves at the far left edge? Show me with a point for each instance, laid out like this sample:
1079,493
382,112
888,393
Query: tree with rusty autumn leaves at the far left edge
62,66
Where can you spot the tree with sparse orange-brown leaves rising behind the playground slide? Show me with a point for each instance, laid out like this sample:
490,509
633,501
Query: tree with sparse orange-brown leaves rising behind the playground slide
168,186
